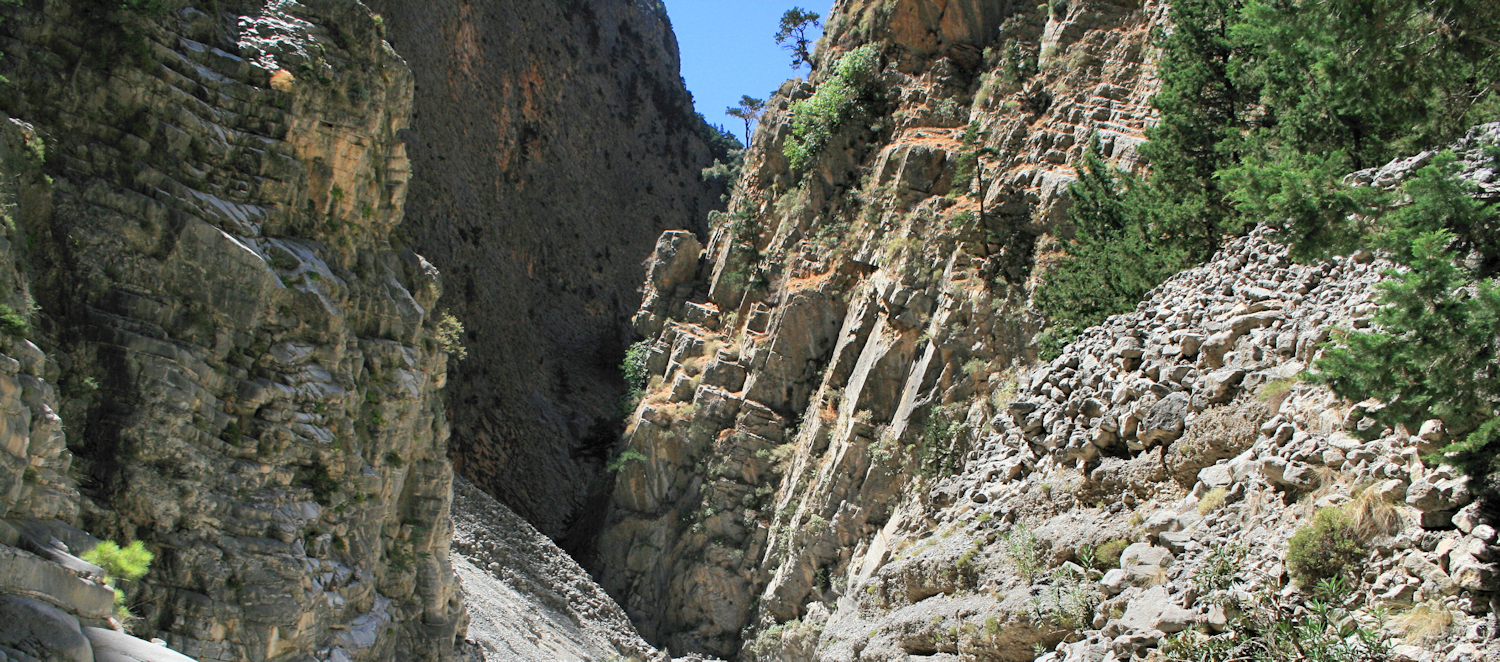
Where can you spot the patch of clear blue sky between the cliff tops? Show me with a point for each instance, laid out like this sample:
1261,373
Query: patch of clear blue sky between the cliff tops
730,50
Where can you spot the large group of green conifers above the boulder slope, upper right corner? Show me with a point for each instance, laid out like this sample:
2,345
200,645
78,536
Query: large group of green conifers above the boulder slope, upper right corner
1265,107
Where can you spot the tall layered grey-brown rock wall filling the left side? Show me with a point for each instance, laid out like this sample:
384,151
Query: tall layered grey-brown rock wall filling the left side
248,367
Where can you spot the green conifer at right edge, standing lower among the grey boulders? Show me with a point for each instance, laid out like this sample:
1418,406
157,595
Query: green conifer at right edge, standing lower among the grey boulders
1433,352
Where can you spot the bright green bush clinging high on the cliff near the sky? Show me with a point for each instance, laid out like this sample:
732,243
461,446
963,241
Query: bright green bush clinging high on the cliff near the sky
835,103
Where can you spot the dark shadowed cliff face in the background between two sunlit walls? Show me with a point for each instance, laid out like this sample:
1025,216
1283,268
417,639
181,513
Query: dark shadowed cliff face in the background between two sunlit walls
551,143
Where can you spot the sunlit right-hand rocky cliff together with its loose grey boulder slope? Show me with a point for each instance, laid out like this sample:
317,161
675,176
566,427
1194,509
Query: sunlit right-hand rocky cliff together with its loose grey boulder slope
847,450
